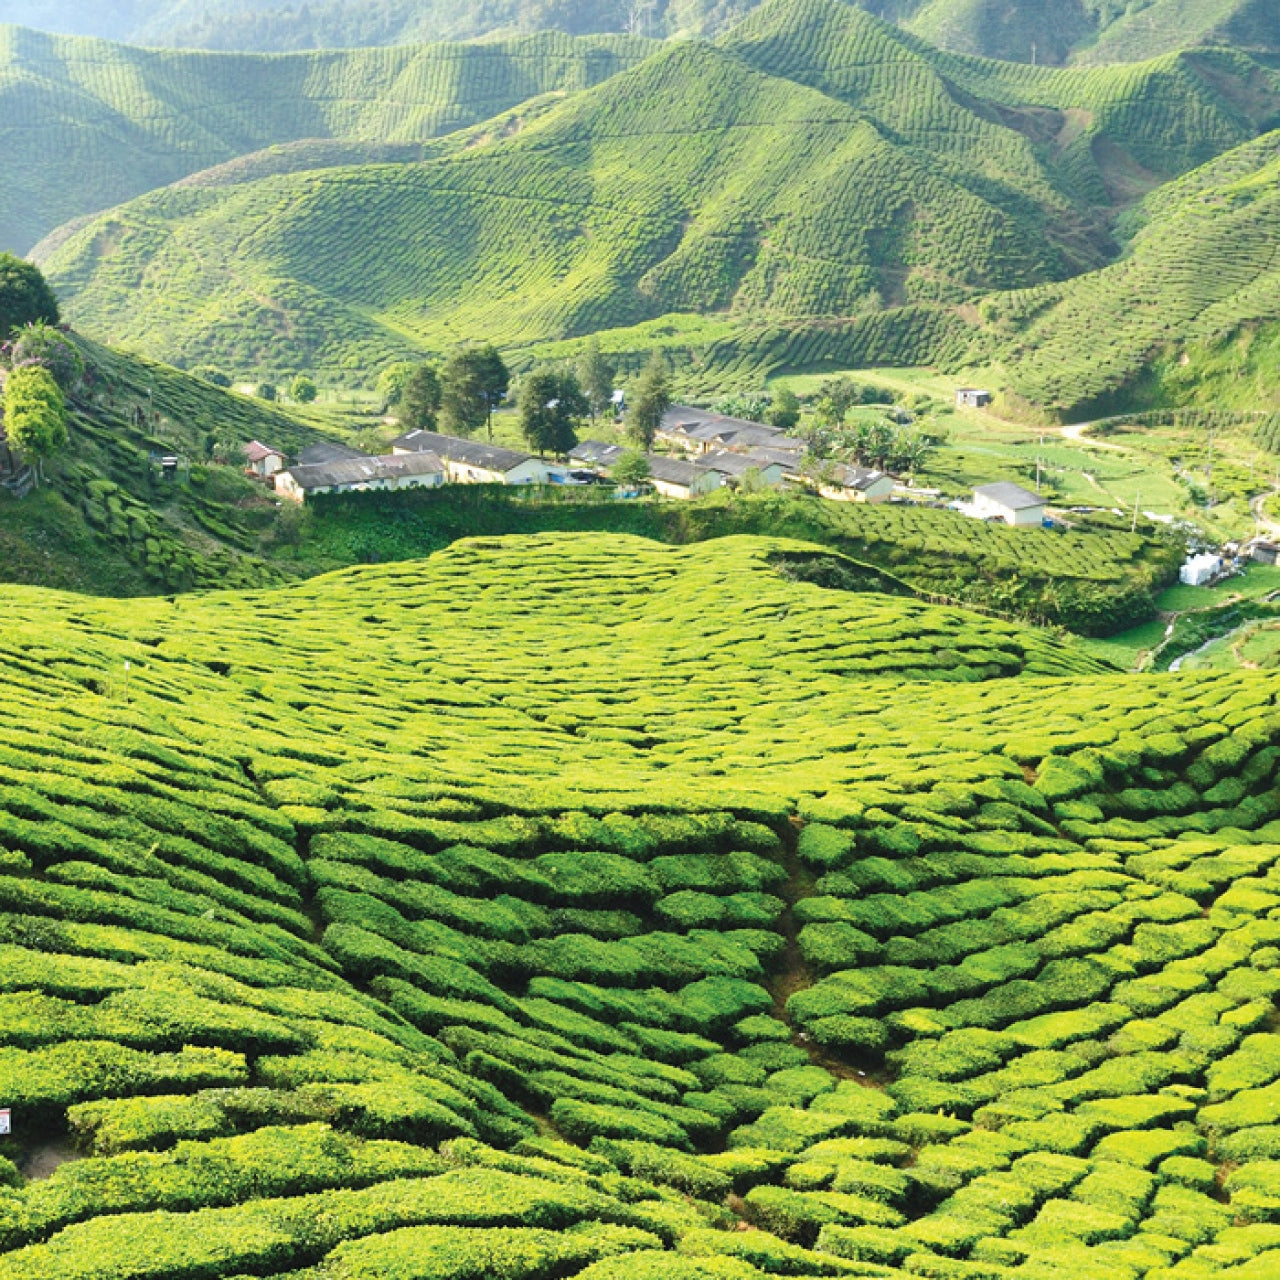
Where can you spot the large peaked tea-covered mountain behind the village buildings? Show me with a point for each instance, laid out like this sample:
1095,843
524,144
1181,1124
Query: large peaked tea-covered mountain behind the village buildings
817,176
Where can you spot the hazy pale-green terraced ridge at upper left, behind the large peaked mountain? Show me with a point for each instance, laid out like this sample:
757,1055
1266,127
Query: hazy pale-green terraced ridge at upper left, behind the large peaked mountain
85,125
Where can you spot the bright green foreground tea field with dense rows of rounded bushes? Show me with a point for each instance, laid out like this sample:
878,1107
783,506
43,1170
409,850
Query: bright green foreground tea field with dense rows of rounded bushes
577,907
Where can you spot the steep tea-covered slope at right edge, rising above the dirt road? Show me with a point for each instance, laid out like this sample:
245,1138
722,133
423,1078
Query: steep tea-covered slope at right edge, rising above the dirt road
1204,266
